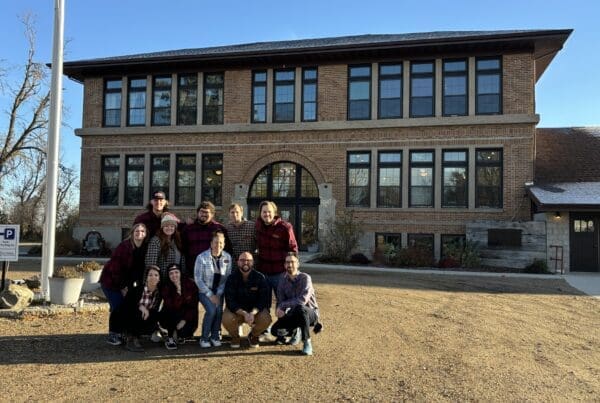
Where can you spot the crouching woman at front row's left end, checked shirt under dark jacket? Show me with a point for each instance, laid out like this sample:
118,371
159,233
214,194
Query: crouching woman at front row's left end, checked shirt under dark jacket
138,314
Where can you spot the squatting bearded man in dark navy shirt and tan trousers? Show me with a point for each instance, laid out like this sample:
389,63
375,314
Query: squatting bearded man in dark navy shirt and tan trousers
248,300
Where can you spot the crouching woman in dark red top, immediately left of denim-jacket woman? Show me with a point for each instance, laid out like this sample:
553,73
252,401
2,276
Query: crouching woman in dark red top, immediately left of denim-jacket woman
179,313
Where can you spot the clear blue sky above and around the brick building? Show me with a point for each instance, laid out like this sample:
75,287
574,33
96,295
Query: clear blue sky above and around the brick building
566,95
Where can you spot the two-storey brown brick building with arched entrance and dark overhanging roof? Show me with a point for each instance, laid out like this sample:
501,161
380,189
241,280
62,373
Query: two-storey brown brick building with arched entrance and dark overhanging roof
415,134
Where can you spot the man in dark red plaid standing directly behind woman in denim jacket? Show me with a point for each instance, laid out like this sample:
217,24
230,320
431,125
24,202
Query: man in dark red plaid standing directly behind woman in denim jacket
197,236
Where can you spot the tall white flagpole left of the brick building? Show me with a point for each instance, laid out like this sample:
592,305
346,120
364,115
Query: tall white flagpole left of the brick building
53,147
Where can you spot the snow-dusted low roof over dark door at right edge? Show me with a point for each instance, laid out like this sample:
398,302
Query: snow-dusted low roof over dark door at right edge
574,196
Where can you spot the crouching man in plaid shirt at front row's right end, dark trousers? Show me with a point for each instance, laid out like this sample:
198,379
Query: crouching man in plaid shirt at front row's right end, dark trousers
296,305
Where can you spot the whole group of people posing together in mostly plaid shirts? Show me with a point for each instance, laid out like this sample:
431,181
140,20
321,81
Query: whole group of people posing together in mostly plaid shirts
158,276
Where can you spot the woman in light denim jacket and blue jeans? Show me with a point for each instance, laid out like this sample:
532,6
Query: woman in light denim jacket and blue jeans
211,270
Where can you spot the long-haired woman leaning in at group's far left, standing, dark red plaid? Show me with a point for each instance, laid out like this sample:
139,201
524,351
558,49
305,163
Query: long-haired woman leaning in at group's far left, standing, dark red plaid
124,270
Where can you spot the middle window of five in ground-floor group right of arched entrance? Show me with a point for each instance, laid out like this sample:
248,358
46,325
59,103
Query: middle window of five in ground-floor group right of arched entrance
421,179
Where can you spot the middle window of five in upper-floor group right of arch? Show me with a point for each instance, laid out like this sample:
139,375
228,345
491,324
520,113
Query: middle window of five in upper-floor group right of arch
422,86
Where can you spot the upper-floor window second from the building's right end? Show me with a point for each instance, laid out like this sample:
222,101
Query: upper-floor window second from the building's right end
454,84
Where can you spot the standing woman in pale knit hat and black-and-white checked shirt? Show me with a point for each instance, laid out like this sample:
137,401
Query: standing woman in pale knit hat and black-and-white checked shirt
164,249
